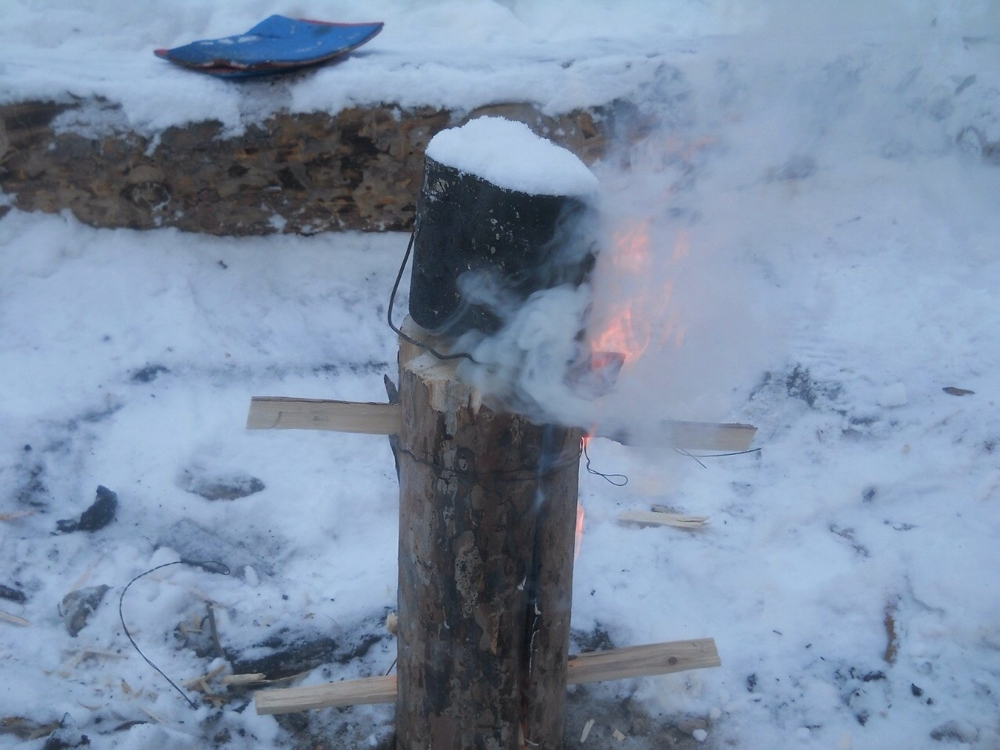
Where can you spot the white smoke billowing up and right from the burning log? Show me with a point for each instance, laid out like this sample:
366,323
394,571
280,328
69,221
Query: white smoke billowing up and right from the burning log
809,107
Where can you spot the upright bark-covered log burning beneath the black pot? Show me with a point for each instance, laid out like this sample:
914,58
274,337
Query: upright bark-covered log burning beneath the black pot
487,518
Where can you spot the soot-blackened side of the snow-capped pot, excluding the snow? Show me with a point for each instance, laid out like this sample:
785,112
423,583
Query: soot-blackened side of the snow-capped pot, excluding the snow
480,250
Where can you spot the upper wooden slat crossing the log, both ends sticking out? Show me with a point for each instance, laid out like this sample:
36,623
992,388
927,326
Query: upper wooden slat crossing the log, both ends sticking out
279,413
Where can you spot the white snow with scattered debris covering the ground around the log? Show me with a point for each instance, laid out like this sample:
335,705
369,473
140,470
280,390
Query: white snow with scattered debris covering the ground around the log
832,175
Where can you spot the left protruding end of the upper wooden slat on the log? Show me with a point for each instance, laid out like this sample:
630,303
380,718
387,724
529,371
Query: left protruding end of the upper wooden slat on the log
277,413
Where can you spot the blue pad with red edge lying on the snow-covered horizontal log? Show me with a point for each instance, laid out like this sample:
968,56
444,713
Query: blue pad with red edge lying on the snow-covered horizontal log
275,45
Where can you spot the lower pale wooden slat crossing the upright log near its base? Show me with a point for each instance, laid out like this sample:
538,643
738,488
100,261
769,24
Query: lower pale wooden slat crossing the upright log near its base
616,664
